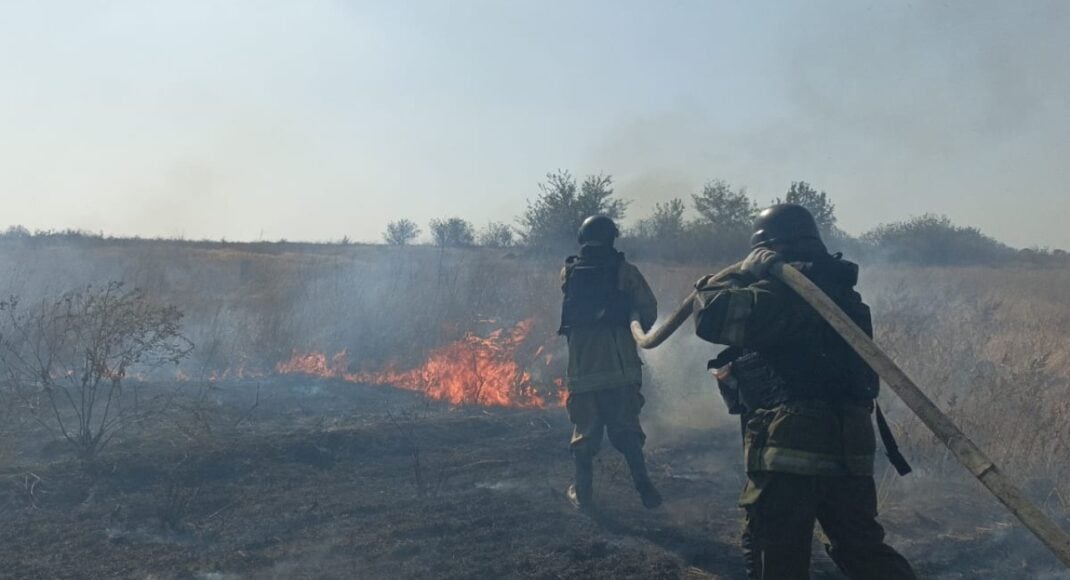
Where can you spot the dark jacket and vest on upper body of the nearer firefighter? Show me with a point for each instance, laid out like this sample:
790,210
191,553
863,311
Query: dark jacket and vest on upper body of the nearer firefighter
806,399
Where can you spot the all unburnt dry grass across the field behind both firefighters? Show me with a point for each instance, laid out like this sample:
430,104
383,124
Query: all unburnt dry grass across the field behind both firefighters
989,345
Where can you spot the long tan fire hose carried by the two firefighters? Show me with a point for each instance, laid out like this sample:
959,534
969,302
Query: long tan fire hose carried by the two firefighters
965,450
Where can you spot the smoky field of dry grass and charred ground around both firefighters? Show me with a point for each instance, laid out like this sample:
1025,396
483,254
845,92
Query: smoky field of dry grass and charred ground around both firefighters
251,472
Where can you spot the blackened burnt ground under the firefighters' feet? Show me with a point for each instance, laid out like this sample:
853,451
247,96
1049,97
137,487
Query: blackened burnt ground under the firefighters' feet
324,480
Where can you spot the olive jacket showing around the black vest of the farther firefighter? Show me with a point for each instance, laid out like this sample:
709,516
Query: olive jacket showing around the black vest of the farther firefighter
607,357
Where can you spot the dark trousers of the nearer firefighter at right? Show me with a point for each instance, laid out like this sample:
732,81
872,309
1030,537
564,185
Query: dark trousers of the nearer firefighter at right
782,510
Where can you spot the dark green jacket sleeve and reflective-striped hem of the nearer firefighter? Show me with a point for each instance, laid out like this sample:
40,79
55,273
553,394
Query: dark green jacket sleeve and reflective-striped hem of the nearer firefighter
808,436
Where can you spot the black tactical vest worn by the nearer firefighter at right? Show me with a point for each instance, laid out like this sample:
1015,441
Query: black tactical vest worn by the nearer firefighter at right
817,364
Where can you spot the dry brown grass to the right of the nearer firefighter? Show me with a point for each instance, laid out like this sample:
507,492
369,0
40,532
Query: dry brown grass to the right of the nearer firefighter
990,346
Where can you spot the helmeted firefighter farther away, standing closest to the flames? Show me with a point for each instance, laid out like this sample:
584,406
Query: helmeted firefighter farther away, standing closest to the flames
605,373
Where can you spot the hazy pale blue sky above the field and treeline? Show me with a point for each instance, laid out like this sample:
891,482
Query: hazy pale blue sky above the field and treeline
323,119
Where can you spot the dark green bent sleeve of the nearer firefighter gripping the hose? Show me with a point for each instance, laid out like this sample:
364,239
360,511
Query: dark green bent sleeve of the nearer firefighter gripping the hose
737,311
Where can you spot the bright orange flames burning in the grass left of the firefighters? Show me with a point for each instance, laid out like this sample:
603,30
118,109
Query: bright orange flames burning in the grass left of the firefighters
475,371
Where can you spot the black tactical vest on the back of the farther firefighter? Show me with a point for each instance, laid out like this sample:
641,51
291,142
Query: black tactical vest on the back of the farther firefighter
593,294
